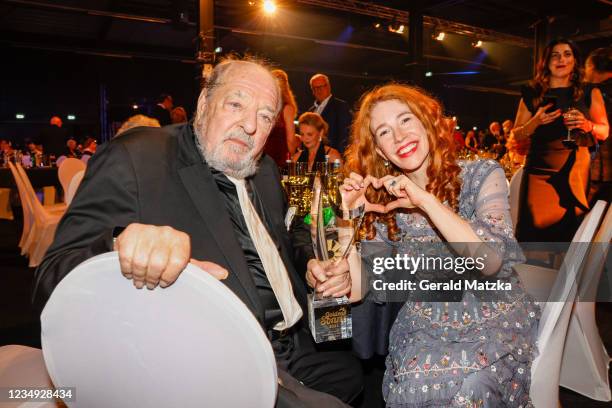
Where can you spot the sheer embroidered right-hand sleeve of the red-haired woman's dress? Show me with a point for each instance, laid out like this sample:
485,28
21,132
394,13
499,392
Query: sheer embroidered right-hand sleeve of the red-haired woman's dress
491,219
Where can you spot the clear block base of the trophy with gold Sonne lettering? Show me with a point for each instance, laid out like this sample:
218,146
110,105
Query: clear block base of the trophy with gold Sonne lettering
330,318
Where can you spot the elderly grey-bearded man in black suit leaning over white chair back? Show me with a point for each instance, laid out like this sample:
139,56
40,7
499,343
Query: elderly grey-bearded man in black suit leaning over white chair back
205,194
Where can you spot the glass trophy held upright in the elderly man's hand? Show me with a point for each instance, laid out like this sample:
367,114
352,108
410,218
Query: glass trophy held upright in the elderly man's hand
332,237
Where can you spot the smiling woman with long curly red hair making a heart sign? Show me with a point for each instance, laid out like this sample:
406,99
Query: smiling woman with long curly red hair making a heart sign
472,352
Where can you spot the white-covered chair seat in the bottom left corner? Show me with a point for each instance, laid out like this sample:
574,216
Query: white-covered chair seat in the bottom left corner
23,367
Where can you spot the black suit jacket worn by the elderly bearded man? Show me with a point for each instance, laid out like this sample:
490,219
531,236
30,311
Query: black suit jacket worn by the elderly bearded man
157,176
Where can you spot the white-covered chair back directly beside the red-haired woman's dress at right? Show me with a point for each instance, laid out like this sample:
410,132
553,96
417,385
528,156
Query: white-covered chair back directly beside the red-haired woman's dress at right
552,330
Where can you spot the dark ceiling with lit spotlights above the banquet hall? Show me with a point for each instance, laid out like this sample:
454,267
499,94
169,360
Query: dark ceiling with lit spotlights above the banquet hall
303,35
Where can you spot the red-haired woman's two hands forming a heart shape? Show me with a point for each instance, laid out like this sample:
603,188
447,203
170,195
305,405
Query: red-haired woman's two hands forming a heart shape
408,194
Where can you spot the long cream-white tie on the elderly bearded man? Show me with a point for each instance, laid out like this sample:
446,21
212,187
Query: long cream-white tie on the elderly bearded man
270,259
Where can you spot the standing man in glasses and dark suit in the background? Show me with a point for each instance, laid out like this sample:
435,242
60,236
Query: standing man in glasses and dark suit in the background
335,111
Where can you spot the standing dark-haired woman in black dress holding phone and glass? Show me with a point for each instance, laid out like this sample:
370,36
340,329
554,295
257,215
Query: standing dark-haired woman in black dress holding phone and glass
553,191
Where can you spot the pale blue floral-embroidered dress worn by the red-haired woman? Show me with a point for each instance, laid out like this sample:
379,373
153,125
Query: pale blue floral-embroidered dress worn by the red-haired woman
473,353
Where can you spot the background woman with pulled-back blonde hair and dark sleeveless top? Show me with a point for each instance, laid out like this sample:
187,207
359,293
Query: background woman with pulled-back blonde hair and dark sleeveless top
313,132
